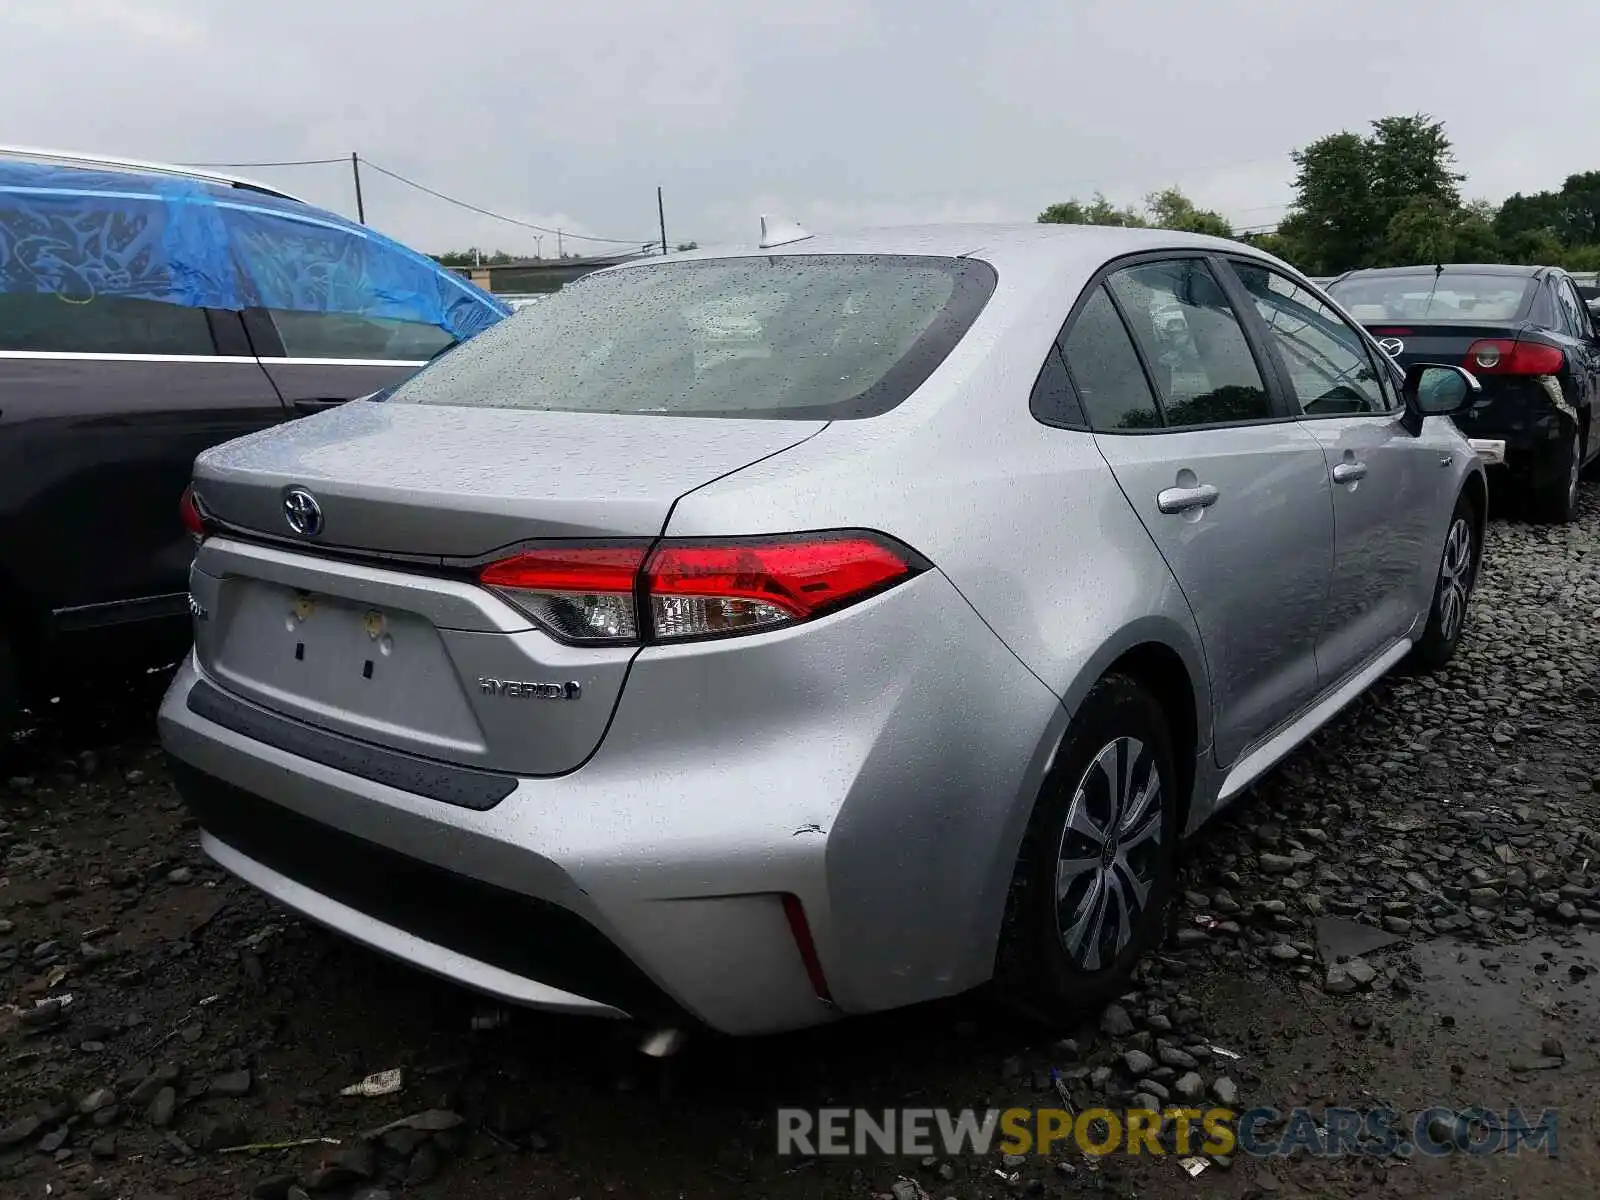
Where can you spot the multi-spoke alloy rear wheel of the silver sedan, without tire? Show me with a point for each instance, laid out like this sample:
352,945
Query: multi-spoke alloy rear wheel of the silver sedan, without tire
1110,854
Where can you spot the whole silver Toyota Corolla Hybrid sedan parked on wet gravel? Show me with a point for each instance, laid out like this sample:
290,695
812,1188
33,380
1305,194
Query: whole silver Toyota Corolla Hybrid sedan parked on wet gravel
806,630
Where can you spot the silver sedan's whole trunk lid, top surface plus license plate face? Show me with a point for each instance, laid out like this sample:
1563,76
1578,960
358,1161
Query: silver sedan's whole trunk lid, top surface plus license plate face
401,652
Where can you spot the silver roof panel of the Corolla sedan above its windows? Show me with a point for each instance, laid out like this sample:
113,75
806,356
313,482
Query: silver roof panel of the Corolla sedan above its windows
1010,249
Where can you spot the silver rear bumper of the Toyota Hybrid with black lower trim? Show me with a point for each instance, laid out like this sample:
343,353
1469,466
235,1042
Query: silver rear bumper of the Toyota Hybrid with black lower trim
878,766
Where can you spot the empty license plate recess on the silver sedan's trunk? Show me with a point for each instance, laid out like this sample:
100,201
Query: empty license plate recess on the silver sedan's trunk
374,673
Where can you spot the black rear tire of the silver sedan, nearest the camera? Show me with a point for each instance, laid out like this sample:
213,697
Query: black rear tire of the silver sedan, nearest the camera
1036,970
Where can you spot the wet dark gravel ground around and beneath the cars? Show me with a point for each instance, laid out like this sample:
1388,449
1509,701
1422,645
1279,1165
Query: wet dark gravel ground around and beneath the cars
1457,815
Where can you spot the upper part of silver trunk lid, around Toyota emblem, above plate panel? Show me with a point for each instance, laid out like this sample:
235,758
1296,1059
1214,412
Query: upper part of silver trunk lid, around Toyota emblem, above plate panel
426,481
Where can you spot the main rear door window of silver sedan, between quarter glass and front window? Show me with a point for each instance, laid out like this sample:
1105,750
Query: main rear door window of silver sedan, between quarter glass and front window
1193,342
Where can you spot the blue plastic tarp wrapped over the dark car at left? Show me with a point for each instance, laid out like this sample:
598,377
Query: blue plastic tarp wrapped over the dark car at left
82,233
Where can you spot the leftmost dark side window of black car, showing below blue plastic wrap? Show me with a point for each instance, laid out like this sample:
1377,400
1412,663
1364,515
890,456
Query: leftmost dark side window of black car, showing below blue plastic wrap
50,322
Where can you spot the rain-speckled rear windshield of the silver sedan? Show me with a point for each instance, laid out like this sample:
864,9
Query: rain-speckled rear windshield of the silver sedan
814,337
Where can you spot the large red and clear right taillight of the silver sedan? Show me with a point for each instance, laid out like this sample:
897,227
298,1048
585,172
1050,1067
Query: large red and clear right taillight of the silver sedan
684,590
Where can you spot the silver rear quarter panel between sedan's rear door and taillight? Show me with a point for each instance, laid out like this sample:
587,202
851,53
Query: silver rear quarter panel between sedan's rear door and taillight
1025,521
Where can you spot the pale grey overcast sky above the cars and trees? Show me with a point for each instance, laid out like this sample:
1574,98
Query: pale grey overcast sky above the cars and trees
836,113
